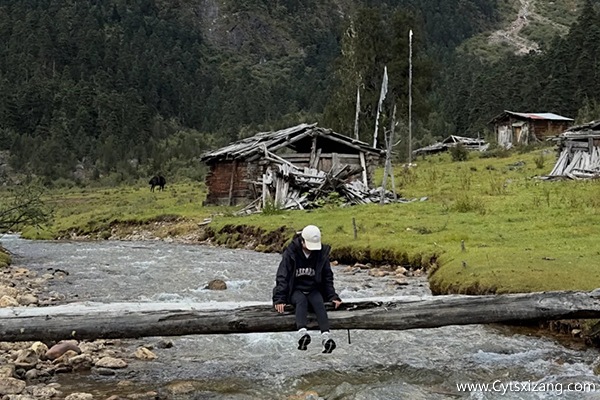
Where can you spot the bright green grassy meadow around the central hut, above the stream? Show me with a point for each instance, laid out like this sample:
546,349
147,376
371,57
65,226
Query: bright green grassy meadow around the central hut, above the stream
488,224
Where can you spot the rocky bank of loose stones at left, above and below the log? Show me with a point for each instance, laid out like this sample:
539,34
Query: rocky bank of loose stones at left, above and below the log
27,368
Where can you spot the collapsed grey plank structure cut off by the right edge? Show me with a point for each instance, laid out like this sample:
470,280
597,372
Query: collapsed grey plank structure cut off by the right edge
578,152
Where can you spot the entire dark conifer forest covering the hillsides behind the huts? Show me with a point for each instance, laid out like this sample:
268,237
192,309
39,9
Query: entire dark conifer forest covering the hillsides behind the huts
116,90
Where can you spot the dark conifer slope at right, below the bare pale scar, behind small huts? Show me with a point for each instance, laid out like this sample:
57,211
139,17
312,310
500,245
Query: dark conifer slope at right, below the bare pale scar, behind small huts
562,78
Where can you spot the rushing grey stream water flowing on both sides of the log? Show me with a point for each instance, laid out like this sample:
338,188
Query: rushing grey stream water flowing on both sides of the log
414,364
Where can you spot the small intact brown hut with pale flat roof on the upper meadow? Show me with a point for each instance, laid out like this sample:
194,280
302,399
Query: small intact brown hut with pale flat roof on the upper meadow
521,128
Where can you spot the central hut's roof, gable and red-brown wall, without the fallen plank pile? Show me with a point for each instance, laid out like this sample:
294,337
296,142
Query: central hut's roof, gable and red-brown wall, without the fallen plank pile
236,171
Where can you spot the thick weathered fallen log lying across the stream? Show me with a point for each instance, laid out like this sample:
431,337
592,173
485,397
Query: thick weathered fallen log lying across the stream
133,320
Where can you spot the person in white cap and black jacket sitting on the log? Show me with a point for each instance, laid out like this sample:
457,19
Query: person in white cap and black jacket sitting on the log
305,277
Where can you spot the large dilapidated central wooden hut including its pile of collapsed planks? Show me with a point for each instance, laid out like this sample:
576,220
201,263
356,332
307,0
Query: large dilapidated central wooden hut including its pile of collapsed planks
293,168
